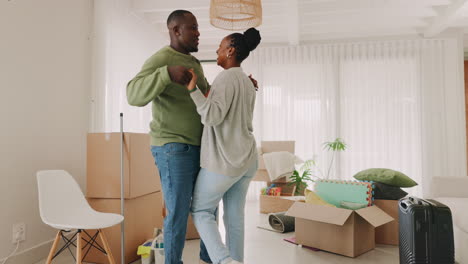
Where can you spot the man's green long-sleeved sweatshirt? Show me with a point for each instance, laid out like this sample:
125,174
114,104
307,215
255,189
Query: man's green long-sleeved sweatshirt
175,117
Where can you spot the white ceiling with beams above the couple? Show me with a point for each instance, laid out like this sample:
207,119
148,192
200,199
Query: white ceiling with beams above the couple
302,21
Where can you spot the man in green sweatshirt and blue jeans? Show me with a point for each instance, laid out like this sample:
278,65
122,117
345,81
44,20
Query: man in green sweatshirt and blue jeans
176,127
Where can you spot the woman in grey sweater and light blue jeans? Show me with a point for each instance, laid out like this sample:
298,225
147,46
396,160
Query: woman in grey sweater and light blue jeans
228,151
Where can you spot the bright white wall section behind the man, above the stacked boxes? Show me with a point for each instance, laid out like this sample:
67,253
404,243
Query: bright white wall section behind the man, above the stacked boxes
122,43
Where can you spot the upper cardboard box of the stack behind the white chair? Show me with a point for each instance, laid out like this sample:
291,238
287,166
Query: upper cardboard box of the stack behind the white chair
103,166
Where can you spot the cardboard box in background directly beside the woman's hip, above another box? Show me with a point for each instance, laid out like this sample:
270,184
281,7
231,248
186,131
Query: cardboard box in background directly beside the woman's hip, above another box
271,146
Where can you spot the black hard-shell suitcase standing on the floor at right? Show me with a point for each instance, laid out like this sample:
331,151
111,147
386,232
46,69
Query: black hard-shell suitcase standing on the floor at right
426,232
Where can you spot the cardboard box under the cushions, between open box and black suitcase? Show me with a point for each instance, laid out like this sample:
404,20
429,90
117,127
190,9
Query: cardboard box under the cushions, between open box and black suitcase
388,234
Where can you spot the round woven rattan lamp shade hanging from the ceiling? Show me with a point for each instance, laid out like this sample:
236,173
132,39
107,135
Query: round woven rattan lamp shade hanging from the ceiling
235,14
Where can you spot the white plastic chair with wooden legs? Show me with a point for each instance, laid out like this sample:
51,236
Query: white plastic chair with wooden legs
63,206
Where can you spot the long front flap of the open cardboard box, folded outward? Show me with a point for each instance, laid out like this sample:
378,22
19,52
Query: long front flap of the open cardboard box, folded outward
320,213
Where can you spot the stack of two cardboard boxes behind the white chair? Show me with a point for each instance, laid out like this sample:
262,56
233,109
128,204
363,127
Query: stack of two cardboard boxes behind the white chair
143,197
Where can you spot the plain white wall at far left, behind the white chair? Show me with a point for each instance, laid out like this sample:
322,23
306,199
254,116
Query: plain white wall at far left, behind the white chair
45,56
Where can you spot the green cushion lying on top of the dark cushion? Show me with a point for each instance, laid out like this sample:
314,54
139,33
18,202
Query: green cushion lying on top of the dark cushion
387,176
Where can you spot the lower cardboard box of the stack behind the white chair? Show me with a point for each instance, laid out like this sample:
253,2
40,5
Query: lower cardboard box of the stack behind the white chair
142,215
